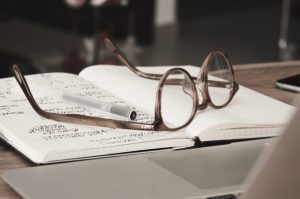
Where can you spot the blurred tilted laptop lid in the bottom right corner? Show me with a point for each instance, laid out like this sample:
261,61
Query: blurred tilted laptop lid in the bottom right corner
277,173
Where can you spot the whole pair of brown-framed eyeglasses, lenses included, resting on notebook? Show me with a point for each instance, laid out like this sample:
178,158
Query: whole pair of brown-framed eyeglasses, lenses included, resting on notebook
177,91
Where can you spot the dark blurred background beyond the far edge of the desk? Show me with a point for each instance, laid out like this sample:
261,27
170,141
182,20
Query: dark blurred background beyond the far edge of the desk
67,35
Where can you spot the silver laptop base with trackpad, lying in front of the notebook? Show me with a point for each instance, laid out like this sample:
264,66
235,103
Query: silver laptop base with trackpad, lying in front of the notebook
209,172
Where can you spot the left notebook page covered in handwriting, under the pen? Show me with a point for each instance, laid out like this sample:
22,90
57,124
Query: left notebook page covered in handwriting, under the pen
39,138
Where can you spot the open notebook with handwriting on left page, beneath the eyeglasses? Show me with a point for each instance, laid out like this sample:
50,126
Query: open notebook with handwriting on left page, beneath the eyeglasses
249,115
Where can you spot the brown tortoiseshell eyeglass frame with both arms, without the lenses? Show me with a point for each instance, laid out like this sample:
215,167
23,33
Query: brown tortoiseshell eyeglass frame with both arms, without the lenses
158,123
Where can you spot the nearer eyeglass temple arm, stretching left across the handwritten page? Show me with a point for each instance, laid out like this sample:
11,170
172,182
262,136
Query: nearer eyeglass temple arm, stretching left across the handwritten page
75,118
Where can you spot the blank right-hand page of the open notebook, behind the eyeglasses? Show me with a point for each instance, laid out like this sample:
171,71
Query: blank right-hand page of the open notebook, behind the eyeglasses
248,109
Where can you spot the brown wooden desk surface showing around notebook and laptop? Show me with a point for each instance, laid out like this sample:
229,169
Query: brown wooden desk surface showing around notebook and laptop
259,77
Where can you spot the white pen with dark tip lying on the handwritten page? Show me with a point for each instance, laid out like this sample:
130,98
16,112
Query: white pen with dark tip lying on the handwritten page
114,109
